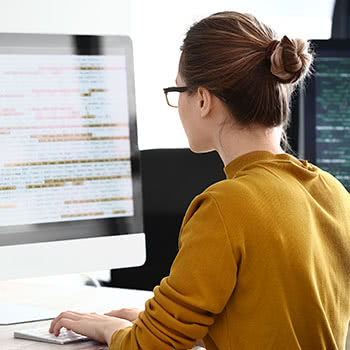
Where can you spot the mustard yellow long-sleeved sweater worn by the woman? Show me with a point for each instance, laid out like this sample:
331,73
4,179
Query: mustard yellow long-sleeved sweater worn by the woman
263,263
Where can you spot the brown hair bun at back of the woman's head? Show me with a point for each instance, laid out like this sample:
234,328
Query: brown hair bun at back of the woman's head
290,59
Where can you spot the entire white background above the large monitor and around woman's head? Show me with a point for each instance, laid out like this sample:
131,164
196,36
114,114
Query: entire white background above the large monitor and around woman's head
157,28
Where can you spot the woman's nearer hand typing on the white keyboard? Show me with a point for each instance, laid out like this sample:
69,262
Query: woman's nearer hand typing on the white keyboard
97,327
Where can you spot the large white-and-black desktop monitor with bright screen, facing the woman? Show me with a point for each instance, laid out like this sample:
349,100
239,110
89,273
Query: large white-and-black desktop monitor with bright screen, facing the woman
70,184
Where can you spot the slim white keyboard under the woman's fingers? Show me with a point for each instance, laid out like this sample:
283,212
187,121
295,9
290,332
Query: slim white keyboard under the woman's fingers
42,334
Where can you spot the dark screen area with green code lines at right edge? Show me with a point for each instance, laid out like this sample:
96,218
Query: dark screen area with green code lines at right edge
333,117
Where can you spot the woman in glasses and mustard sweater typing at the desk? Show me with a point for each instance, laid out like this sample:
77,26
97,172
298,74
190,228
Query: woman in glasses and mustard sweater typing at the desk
264,256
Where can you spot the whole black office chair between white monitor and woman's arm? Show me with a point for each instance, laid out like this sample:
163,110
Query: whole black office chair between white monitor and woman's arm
171,178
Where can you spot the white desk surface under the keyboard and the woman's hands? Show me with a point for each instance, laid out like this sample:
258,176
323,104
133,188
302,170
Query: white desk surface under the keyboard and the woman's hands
59,298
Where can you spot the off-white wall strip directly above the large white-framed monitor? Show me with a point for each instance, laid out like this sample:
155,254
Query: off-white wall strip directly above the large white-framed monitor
65,16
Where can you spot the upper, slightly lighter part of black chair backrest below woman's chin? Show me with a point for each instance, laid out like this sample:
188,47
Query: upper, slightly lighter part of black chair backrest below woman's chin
171,178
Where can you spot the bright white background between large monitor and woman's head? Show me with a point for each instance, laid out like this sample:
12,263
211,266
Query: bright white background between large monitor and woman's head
158,28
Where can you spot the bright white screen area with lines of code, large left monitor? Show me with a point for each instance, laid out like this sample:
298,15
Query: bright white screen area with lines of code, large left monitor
64,139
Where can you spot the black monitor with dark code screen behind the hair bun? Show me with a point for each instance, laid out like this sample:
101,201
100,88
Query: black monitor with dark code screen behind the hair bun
325,110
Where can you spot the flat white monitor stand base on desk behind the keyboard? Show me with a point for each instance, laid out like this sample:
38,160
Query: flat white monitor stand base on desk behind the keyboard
20,313
